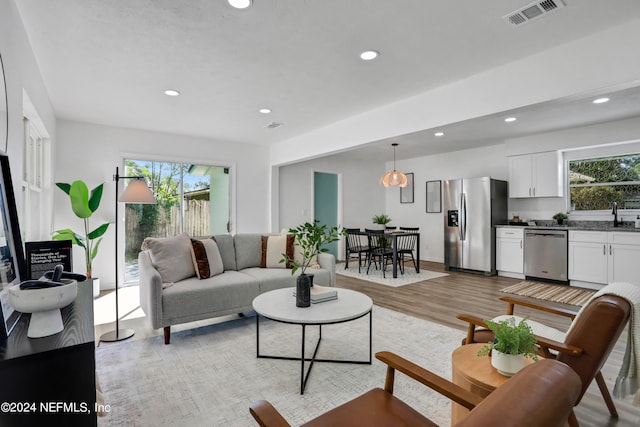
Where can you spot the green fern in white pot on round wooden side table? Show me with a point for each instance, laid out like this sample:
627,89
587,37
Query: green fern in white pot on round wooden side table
513,342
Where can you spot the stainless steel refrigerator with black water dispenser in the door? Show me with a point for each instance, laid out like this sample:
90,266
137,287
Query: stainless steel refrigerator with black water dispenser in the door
473,207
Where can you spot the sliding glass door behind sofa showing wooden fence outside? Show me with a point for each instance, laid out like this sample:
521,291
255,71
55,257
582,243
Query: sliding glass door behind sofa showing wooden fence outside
191,198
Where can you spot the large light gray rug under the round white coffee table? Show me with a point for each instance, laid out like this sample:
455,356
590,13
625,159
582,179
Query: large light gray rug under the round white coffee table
210,375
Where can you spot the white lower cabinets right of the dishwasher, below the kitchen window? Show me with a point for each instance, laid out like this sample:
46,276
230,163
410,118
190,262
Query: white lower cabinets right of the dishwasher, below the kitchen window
603,257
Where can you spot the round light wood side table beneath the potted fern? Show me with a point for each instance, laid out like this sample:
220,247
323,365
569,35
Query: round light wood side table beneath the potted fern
475,374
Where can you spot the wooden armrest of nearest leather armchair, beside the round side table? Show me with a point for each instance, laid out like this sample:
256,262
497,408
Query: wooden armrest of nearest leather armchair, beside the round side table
428,378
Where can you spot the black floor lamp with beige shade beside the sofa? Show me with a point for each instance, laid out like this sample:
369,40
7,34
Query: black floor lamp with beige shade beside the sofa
136,192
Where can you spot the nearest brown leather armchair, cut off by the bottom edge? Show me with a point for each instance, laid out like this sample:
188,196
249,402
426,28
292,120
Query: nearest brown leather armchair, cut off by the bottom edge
548,384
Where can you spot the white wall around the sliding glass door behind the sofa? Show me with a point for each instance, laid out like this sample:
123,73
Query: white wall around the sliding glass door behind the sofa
91,152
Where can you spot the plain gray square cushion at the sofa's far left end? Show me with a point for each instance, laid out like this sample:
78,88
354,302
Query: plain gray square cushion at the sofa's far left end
171,256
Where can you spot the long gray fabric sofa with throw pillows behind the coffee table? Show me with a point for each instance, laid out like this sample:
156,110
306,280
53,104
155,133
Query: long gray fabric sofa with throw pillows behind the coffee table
172,293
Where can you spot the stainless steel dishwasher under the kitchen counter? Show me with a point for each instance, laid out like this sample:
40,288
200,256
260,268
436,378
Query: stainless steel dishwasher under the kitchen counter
545,254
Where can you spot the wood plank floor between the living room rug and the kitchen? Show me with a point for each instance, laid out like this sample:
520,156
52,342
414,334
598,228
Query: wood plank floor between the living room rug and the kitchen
441,300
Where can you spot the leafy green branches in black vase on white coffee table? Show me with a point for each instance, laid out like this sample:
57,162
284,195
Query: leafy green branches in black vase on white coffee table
311,238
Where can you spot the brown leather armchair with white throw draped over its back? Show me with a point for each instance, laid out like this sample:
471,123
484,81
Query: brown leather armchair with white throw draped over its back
586,346
